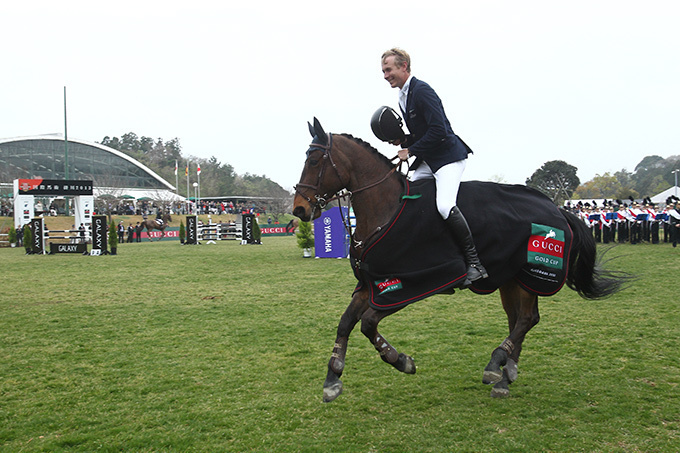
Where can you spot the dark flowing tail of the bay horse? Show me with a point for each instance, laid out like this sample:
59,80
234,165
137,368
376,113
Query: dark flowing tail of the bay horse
586,274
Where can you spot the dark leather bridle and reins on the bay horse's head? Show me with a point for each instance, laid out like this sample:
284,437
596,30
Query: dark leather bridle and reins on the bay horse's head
321,201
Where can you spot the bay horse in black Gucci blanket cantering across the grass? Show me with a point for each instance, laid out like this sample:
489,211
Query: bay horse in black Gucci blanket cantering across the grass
340,166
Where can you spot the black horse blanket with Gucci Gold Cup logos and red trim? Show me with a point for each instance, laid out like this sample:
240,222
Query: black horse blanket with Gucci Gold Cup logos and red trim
519,233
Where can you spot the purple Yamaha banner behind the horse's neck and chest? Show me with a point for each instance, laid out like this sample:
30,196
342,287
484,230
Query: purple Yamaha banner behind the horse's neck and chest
330,234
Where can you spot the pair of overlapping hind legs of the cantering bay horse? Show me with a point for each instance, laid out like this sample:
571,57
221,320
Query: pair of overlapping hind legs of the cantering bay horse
521,308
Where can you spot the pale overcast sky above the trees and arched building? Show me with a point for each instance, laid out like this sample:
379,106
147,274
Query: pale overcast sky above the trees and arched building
593,83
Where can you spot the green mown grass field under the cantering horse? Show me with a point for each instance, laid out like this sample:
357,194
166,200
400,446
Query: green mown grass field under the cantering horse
224,348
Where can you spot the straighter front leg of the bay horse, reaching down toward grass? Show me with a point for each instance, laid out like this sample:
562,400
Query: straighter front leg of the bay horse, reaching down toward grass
332,387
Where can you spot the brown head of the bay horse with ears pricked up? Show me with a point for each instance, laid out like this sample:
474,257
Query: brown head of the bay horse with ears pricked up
320,178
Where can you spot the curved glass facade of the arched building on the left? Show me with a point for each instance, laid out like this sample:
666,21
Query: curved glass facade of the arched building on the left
44,158
